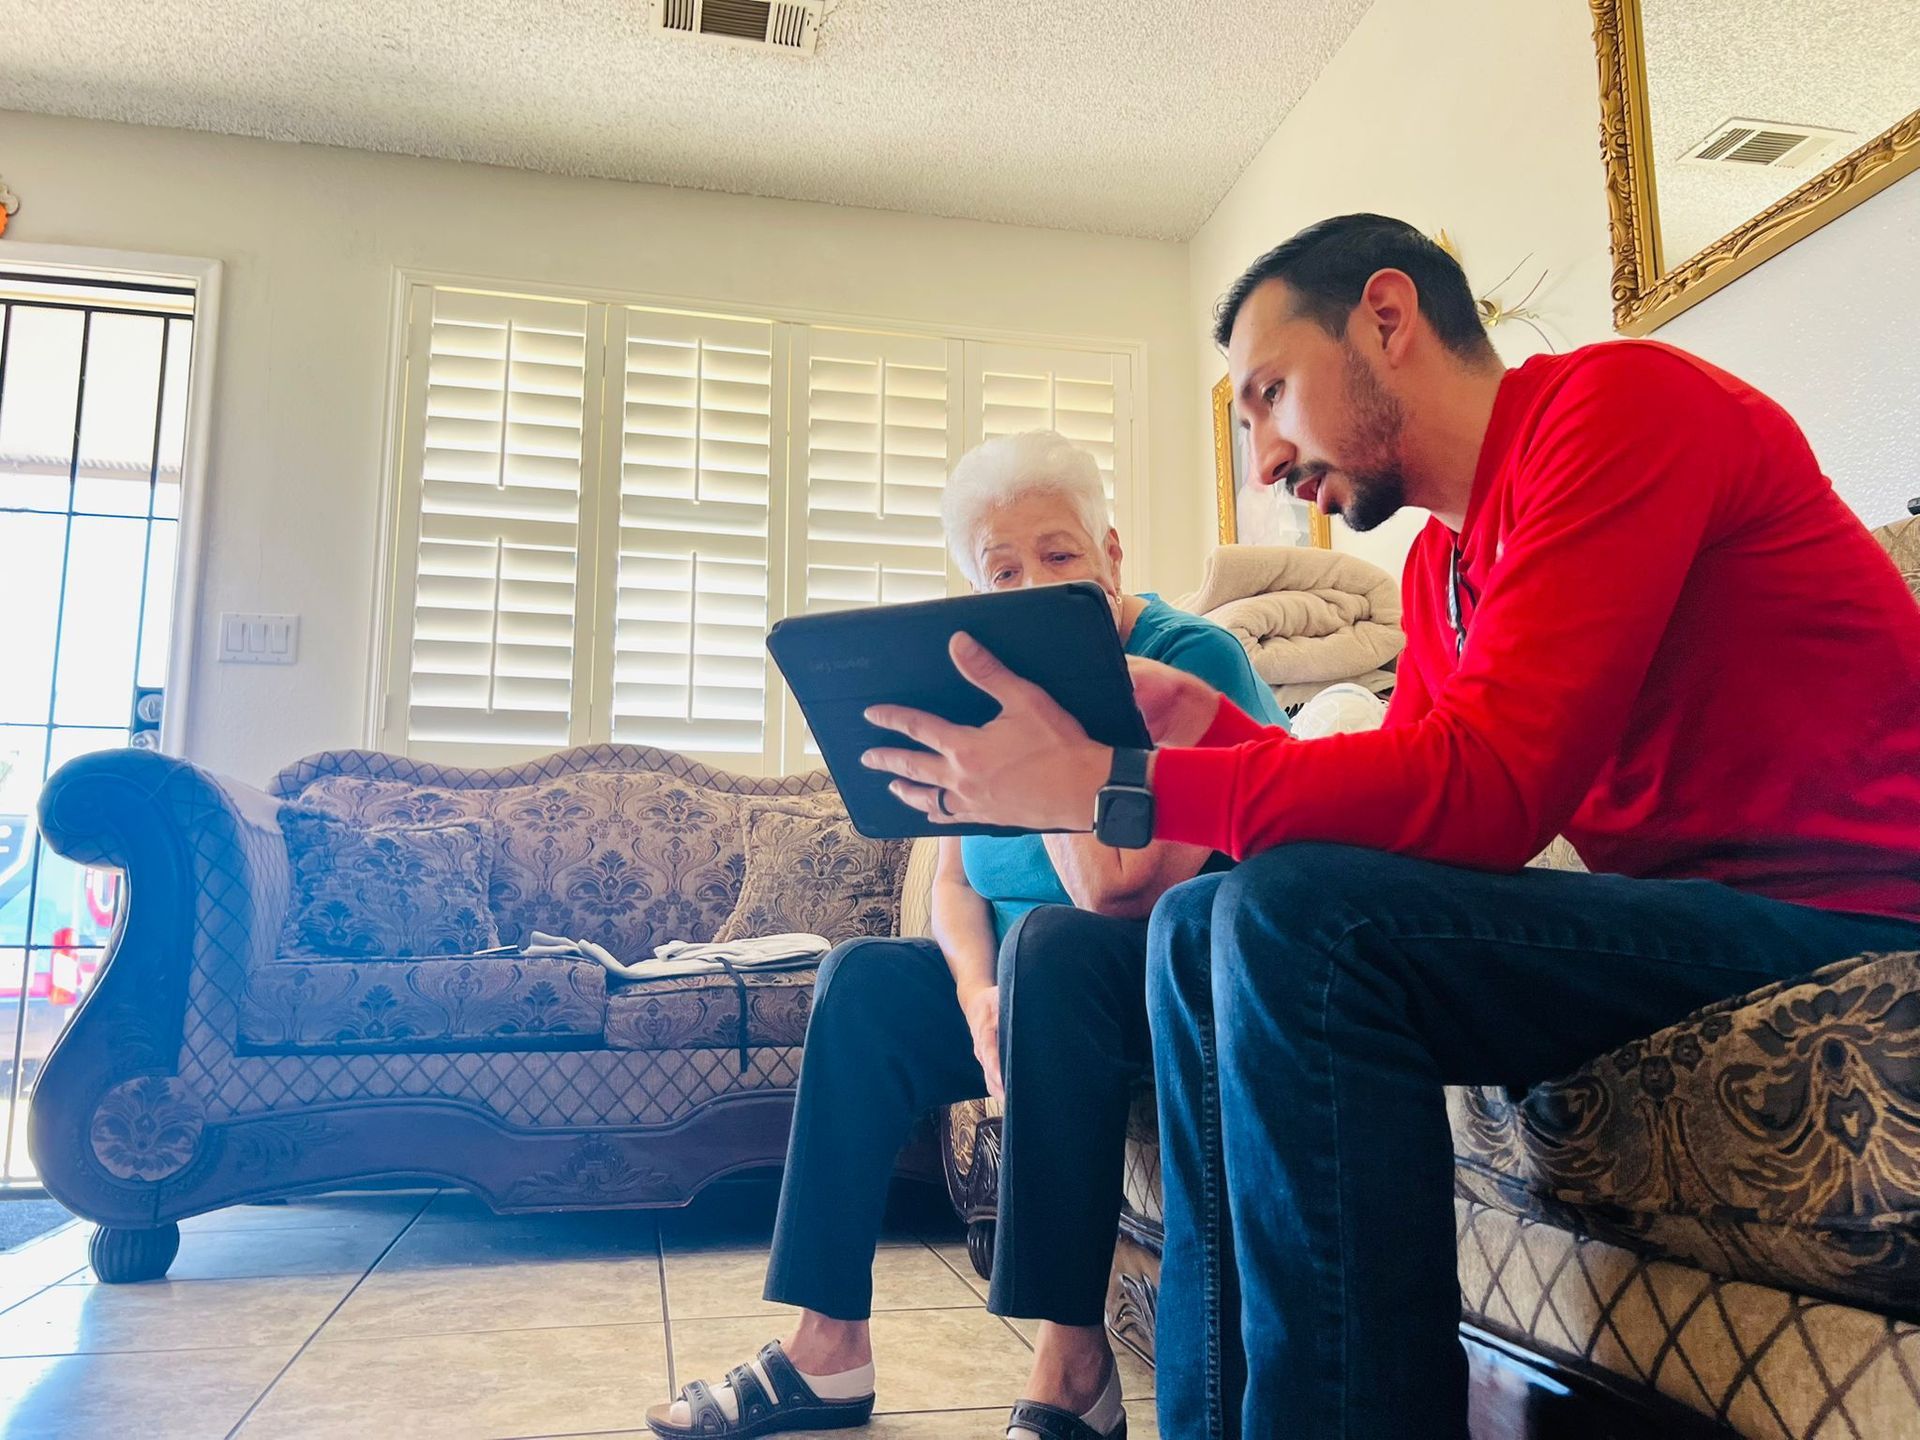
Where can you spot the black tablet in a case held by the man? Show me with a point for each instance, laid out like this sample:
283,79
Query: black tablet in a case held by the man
1063,638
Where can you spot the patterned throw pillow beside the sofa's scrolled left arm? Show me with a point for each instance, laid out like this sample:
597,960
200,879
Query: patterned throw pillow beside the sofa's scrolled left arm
387,892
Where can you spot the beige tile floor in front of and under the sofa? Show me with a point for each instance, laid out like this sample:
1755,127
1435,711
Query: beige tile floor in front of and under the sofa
421,1314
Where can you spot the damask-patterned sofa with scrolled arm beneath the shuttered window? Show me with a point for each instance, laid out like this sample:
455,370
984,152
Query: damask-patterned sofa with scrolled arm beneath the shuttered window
210,1068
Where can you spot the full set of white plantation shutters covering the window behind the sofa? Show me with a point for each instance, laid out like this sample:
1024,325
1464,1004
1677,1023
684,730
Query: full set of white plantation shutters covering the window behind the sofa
606,506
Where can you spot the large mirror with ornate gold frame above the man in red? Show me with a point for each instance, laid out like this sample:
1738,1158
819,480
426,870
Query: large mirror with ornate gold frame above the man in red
1735,130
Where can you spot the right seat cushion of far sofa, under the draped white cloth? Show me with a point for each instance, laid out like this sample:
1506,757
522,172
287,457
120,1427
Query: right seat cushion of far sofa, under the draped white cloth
702,1013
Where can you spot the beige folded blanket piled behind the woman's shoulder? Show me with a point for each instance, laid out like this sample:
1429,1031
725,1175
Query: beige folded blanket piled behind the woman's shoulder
1307,617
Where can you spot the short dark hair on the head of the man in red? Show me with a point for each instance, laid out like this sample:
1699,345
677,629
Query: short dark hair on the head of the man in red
1330,264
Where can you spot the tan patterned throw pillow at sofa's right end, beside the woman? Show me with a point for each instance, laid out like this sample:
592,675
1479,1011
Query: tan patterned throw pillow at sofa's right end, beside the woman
813,873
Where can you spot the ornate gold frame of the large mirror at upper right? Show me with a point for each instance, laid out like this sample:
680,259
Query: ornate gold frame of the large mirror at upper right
1646,293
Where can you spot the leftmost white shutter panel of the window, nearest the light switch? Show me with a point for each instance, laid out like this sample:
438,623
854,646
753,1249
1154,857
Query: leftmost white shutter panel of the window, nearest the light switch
500,406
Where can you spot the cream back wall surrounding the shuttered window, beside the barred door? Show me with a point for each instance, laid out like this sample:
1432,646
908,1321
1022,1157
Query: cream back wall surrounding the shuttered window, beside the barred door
312,239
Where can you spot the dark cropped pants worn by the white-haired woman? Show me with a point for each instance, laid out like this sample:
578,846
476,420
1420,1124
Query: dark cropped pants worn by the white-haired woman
888,1042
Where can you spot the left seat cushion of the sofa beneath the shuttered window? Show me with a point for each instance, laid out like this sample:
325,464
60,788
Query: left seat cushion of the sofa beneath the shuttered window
423,1005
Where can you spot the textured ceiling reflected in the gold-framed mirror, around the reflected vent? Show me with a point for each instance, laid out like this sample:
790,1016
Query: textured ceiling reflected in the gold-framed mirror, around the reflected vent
1836,64
